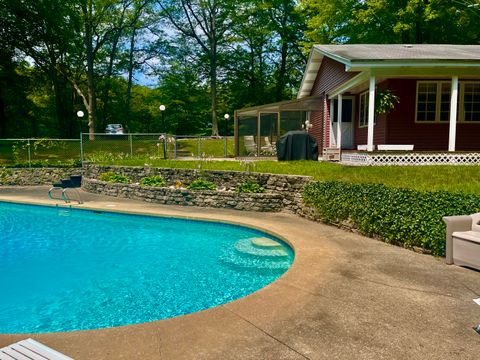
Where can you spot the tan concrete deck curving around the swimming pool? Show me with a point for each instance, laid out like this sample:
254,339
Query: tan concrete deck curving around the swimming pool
345,297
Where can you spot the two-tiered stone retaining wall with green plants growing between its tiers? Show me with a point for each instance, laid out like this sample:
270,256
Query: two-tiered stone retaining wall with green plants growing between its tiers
287,187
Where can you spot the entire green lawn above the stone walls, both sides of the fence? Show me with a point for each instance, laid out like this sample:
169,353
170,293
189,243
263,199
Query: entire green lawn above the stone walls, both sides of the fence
110,150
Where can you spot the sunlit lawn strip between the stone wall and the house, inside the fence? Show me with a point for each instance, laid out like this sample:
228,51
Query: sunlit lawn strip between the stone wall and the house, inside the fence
464,179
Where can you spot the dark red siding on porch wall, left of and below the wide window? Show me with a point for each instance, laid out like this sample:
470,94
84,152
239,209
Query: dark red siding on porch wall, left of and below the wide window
402,128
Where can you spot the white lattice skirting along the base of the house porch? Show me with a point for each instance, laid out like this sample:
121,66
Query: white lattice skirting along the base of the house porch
384,159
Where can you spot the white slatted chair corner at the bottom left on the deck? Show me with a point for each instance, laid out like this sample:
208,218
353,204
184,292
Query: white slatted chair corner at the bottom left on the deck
30,349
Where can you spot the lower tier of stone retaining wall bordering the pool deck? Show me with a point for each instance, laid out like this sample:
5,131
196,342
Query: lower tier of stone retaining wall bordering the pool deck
204,198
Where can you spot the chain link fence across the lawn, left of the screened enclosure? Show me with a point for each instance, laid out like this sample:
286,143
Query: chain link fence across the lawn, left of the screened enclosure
104,147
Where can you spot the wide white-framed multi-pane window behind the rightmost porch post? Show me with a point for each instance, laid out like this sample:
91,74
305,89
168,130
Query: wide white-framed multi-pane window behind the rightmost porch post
433,101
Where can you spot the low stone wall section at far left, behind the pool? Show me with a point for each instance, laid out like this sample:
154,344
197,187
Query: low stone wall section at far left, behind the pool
35,176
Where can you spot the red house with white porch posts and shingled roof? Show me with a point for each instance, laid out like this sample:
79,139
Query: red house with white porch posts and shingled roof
437,88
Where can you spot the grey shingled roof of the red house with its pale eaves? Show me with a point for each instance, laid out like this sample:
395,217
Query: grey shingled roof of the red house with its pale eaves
389,60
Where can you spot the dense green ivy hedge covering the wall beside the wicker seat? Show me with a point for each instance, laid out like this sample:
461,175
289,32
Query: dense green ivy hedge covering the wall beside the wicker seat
398,216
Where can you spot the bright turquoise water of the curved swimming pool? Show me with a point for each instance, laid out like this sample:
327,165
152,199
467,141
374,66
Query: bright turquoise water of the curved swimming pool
64,270
